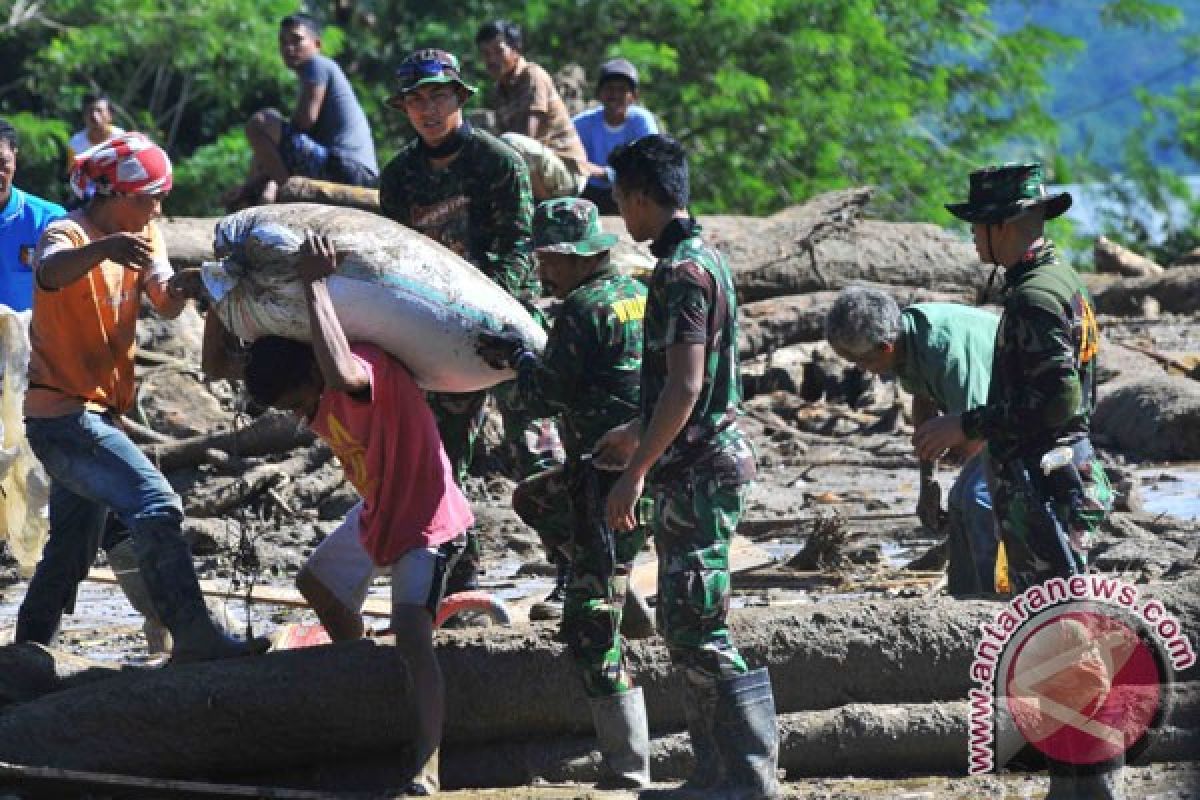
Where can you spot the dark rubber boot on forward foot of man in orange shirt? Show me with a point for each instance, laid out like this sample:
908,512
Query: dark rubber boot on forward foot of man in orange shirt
173,588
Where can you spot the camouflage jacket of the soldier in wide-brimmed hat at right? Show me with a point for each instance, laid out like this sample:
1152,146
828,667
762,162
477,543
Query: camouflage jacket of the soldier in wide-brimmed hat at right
1043,374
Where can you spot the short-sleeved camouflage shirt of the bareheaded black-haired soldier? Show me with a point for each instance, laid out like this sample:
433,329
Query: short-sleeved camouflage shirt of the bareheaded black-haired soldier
693,302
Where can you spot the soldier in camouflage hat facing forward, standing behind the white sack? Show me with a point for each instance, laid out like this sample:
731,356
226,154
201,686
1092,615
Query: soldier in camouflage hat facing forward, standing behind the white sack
465,189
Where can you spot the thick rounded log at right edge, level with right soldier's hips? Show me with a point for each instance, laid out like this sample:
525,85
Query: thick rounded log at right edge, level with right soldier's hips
1159,418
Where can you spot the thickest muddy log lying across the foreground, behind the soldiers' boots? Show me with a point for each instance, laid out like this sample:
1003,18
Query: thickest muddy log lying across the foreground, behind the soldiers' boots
327,703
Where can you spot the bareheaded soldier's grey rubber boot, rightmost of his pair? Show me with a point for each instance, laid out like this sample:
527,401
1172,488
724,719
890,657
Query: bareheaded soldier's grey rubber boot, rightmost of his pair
748,737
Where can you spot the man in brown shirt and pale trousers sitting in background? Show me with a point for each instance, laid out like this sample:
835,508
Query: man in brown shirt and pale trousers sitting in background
531,115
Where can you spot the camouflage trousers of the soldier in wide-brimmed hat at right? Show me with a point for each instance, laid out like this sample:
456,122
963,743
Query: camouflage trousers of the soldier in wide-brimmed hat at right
1029,554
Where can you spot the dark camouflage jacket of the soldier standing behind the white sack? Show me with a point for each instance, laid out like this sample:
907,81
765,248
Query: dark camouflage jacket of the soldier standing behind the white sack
481,207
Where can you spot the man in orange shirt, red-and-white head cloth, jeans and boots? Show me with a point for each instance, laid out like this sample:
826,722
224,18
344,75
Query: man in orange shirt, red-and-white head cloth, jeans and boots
91,272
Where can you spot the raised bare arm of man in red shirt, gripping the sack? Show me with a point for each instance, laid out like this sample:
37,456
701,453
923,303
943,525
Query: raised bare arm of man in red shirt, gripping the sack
339,368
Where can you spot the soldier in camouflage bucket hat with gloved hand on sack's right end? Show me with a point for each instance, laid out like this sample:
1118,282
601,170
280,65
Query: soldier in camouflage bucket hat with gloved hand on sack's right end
590,376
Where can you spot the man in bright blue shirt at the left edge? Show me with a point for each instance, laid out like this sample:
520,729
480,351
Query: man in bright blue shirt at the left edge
23,218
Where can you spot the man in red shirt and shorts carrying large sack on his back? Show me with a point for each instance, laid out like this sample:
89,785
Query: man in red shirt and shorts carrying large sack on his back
412,518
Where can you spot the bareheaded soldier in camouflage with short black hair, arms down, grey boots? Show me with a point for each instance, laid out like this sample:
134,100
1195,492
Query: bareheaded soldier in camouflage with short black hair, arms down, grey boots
687,452
